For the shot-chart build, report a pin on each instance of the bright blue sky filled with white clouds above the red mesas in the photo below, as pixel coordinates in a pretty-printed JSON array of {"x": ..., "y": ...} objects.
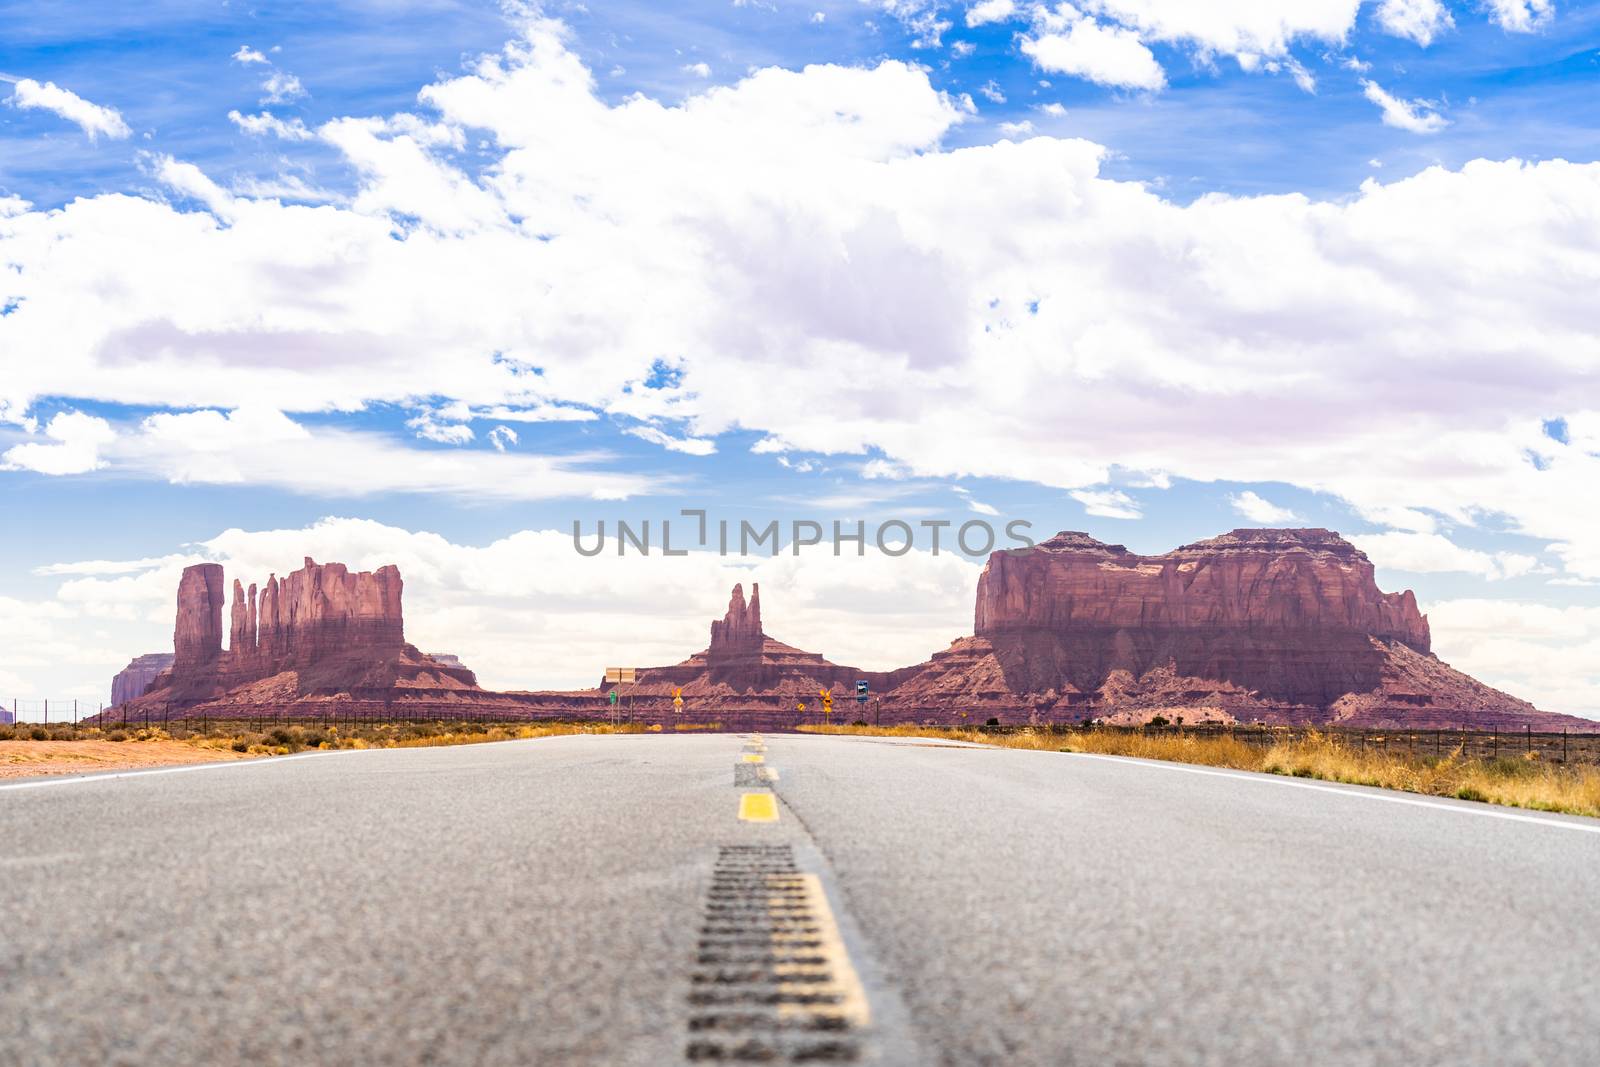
[{"x": 1135, "y": 268}]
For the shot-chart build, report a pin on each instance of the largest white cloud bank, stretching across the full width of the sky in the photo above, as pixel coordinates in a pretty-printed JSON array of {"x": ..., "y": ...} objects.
[{"x": 804, "y": 242}]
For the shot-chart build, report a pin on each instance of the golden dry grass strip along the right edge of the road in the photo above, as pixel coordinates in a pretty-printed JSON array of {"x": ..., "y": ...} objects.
[{"x": 1513, "y": 781}]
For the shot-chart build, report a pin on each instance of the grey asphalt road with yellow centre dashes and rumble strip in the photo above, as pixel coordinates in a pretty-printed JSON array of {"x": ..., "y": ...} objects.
[{"x": 590, "y": 901}]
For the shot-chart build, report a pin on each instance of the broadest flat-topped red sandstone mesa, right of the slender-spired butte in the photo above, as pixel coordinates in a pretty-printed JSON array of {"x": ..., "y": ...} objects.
[{"x": 1274, "y": 626}]
